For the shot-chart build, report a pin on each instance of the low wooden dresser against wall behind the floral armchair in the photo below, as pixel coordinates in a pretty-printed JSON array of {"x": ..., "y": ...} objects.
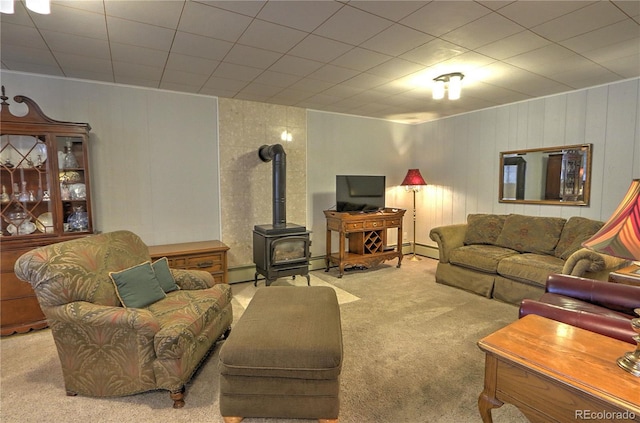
[{"x": 210, "y": 256}]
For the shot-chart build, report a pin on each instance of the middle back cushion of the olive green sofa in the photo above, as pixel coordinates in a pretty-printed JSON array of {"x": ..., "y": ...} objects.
[{"x": 531, "y": 234}]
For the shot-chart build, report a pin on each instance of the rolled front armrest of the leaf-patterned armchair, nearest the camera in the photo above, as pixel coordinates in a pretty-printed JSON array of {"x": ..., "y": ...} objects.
[{"x": 82, "y": 313}]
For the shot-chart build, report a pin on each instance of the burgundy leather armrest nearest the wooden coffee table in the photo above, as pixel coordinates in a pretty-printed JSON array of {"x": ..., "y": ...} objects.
[{"x": 617, "y": 328}]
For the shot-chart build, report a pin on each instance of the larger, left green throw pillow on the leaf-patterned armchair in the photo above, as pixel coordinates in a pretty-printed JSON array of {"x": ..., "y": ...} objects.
[{"x": 137, "y": 287}]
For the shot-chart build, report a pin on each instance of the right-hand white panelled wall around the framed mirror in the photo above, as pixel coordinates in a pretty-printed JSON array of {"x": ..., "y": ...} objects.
[{"x": 459, "y": 156}]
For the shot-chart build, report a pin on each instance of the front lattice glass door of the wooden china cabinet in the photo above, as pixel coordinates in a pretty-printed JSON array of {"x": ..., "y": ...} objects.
[{"x": 25, "y": 200}]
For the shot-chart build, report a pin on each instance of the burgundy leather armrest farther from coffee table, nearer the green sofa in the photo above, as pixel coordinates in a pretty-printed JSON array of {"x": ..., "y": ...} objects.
[{"x": 615, "y": 296}]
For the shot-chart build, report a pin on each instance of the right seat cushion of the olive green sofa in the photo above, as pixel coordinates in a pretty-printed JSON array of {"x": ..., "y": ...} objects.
[{"x": 530, "y": 268}]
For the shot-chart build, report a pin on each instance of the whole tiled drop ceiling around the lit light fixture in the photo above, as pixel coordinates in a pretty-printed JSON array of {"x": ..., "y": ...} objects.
[{"x": 368, "y": 58}]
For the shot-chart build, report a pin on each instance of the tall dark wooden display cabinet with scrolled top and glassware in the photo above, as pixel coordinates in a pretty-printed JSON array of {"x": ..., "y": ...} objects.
[{"x": 45, "y": 198}]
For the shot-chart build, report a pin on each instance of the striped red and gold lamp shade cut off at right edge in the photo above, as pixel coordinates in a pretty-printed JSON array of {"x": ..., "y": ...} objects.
[{"x": 620, "y": 235}]
